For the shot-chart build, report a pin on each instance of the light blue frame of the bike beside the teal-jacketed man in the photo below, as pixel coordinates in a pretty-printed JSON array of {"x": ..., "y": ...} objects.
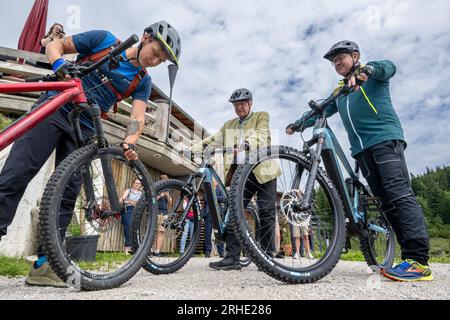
[{"x": 332, "y": 154}]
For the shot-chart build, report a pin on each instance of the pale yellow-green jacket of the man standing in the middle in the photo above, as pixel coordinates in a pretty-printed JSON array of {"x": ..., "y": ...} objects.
[{"x": 256, "y": 133}]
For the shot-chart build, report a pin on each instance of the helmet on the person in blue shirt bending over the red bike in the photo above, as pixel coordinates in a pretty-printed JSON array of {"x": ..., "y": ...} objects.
[{"x": 168, "y": 37}]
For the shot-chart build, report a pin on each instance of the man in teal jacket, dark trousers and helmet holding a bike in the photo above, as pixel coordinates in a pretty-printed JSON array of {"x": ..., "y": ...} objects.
[{"x": 378, "y": 143}]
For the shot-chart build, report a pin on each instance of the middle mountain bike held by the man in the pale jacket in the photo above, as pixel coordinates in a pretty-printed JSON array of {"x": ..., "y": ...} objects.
[{"x": 180, "y": 242}]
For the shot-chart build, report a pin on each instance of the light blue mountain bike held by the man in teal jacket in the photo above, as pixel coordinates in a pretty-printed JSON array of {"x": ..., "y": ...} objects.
[{"x": 324, "y": 208}]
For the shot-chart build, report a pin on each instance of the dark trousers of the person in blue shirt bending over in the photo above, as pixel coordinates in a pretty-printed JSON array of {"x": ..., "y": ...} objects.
[{"x": 27, "y": 157}]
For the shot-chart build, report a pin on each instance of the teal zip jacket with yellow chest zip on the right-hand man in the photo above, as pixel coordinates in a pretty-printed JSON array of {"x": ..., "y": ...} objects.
[{"x": 368, "y": 114}]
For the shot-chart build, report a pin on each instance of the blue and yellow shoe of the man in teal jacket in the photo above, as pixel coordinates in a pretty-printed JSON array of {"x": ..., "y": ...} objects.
[{"x": 408, "y": 270}]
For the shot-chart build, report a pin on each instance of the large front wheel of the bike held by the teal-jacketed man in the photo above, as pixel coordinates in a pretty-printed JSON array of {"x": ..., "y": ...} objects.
[{"x": 312, "y": 239}]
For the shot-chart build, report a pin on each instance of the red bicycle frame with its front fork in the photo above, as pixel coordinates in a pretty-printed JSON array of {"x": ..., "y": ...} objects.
[{"x": 71, "y": 92}]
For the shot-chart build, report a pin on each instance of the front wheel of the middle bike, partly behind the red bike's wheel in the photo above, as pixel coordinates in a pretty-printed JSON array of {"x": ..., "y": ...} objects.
[{"x": 172, "y": 230}]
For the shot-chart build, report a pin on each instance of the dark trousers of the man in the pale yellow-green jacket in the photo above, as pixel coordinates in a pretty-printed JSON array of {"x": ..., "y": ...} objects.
[{"x": 265, "y": 195}]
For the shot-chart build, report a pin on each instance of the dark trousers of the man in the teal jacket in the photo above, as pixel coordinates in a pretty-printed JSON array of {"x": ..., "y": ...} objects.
[{"x": 384, "y": 168}]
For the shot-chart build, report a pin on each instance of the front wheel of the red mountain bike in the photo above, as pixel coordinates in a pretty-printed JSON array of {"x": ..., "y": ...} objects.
[{"x": 81, "y": 236}]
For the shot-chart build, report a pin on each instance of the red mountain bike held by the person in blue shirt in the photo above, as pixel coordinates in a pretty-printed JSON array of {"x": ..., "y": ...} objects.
[{"x": 81, "y": 197}]
